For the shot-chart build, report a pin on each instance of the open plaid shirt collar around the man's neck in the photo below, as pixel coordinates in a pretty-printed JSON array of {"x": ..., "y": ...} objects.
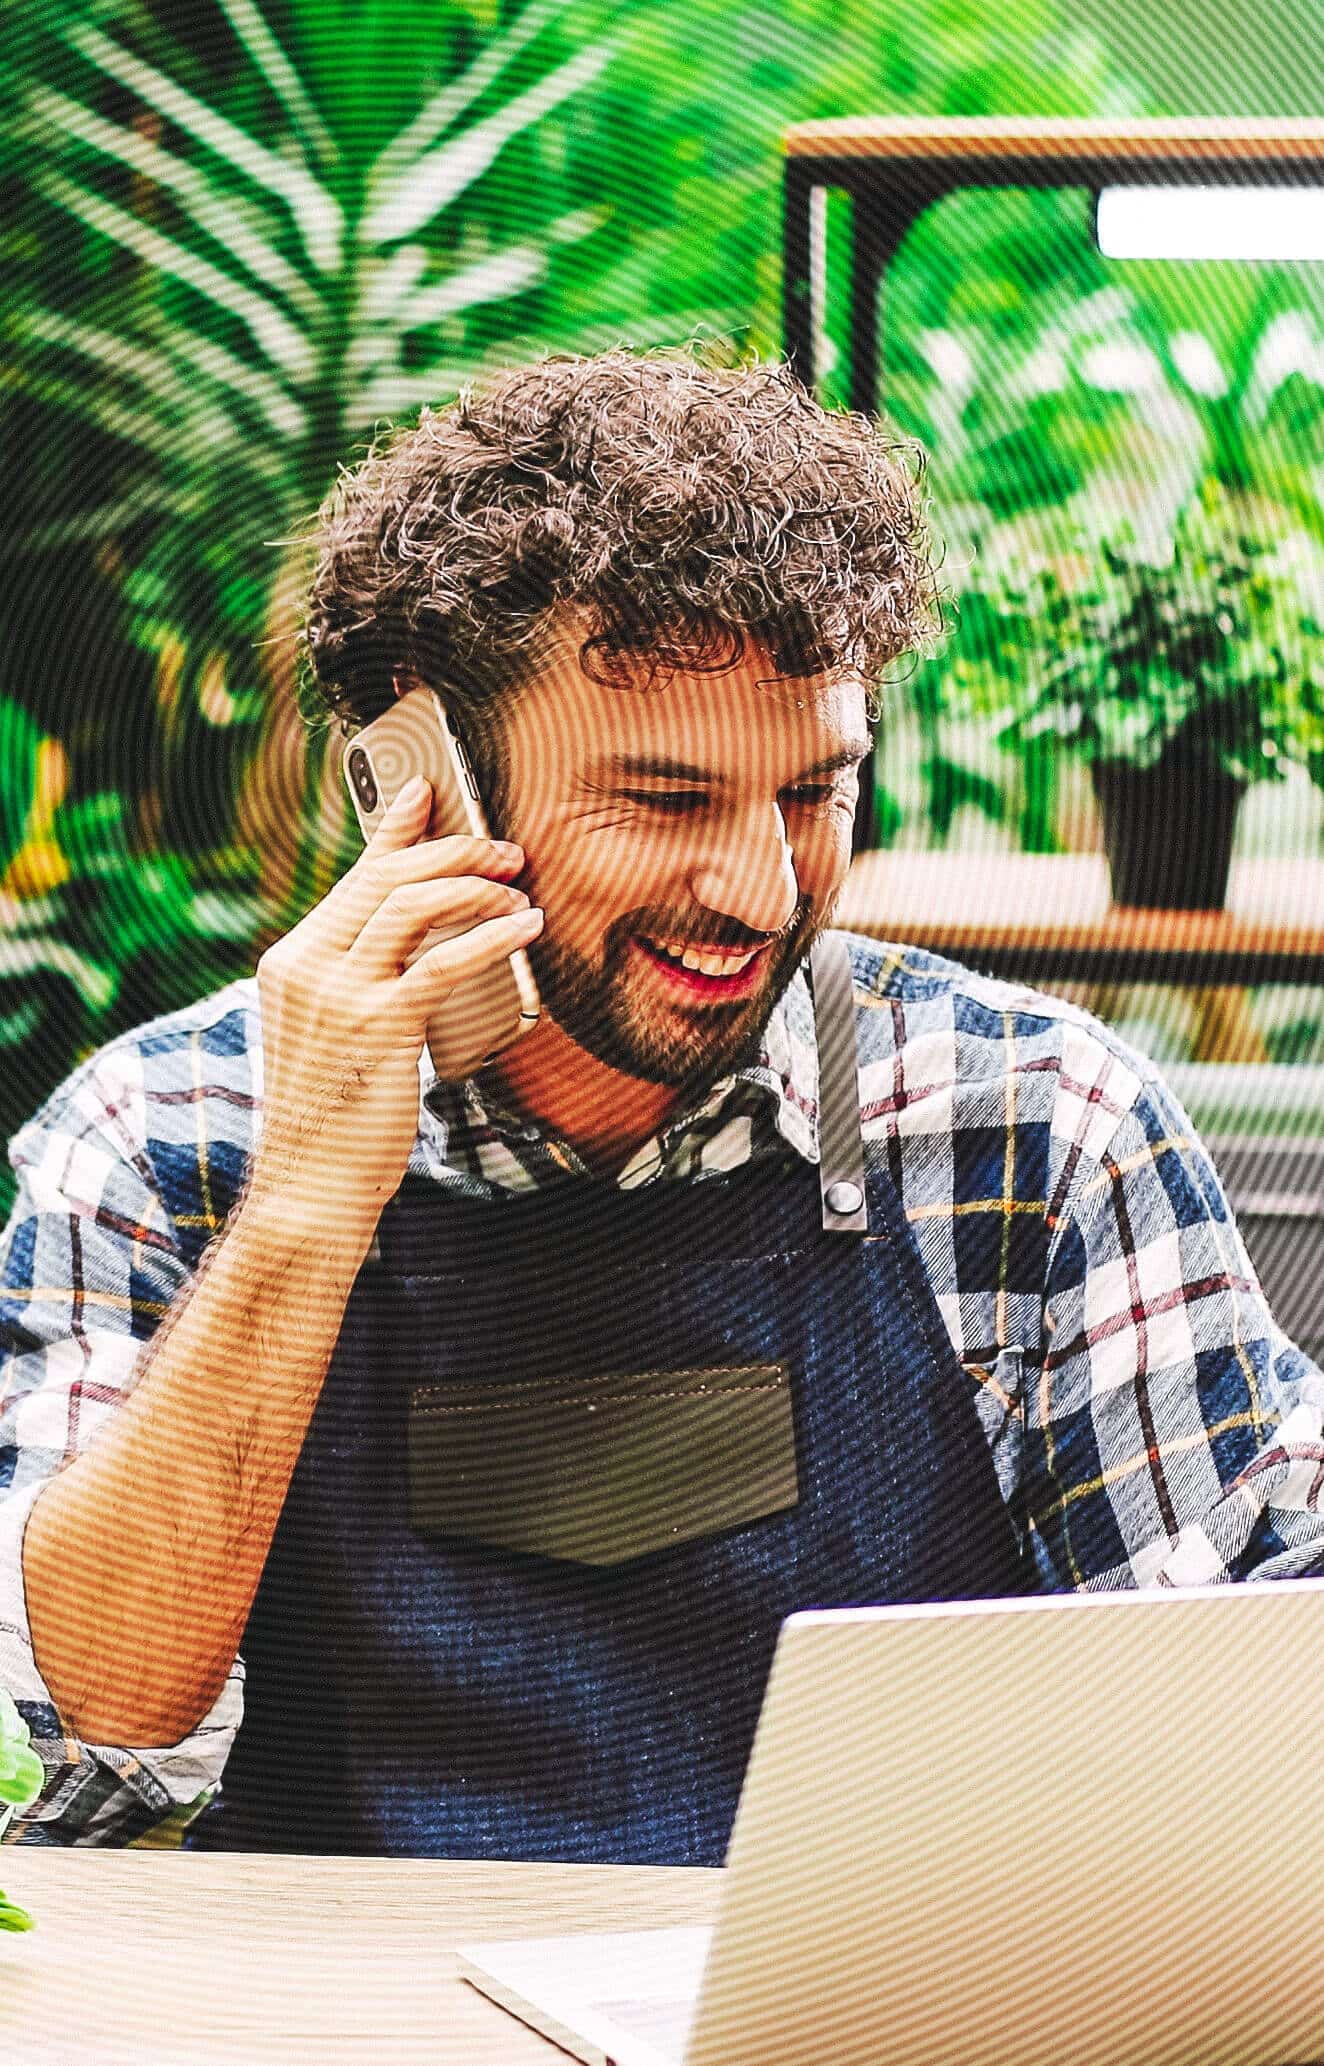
[{"x": 782, "y": 1079}]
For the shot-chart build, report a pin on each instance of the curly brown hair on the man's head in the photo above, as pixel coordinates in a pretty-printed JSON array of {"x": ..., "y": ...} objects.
[{"x": 679, "y": 505}]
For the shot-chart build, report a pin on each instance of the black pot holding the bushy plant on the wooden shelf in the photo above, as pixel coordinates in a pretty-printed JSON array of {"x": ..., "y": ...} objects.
[{"x": 1170, "y": 829}]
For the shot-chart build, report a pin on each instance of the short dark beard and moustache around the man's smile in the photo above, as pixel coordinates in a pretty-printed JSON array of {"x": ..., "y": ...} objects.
[{"x": 610, "y": 1009}]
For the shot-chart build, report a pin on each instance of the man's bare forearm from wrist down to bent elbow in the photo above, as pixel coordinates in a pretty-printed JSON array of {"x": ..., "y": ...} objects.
[{"x": 141, "y": 1559}]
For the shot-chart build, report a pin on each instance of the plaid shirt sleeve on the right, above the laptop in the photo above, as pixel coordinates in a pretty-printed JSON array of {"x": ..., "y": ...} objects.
[{"x": 1174, "y": 1435}]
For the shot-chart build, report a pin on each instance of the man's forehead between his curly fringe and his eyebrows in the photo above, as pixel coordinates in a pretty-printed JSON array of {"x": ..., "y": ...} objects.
[{"x": 736, "y": 716}]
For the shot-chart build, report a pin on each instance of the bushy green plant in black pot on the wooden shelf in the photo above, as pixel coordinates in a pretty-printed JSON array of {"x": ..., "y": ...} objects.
[{"x": 1180, "y": 683}]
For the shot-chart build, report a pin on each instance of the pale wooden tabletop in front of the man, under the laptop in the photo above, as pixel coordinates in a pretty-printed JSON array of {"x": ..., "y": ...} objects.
[{"x": 234, "y": 1960}]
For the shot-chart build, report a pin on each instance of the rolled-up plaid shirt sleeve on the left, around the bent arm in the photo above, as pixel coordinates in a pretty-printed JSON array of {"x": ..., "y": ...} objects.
[{"x": 88, "y": 1267}]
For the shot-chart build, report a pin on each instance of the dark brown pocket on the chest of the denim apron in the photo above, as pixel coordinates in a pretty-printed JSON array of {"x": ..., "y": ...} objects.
[{"x": 602, "y": 1470}]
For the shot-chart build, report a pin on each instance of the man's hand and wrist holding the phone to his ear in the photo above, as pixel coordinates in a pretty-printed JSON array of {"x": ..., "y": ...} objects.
[{"x": 346, "y": 1013}]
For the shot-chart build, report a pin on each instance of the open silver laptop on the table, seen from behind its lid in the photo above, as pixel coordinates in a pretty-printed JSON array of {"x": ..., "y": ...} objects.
[{"x": 1067, "y": 1832}]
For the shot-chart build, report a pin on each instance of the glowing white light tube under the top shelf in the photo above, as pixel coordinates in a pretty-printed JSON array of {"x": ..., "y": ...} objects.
[{"x": 1211, "y": 222}]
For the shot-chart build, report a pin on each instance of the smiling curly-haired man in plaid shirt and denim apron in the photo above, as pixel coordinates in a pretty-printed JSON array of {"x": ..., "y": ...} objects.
[{"x": 499, "y": 1425}]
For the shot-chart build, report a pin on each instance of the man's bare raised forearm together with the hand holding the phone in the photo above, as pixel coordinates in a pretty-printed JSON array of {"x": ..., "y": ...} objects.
[{"x": 144, "y": 1557}]
